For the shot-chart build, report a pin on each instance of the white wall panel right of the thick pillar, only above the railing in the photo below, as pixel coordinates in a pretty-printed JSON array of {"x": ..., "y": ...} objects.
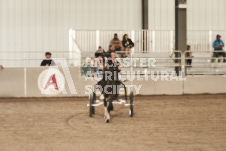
[{"x": 206, "y": 15}]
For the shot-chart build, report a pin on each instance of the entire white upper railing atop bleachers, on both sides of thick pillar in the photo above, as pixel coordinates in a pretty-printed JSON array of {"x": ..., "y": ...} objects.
[{"x": 147, "y": 40}]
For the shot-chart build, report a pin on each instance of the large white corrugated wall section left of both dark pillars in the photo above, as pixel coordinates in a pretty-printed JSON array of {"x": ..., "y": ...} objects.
[{"x": 43, "y": 25}]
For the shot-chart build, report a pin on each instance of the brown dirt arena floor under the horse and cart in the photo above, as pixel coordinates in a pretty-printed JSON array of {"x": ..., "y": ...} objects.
[{"x": 160, "y": 123}]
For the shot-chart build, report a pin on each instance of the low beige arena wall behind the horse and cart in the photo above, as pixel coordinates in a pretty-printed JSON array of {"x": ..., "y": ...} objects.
[{"x": 23, "y": 82}]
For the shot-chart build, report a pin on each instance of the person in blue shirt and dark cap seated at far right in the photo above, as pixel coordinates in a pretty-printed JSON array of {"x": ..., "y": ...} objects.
[{"x": 218, "y": 46}]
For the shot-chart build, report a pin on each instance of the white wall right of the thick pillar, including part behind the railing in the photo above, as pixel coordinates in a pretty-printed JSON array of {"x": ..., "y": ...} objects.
[{"x": 205, "y": 19}]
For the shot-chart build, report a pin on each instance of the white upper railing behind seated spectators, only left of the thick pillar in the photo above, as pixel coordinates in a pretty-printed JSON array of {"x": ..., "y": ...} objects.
[{"x": 144, "y": 40}]
